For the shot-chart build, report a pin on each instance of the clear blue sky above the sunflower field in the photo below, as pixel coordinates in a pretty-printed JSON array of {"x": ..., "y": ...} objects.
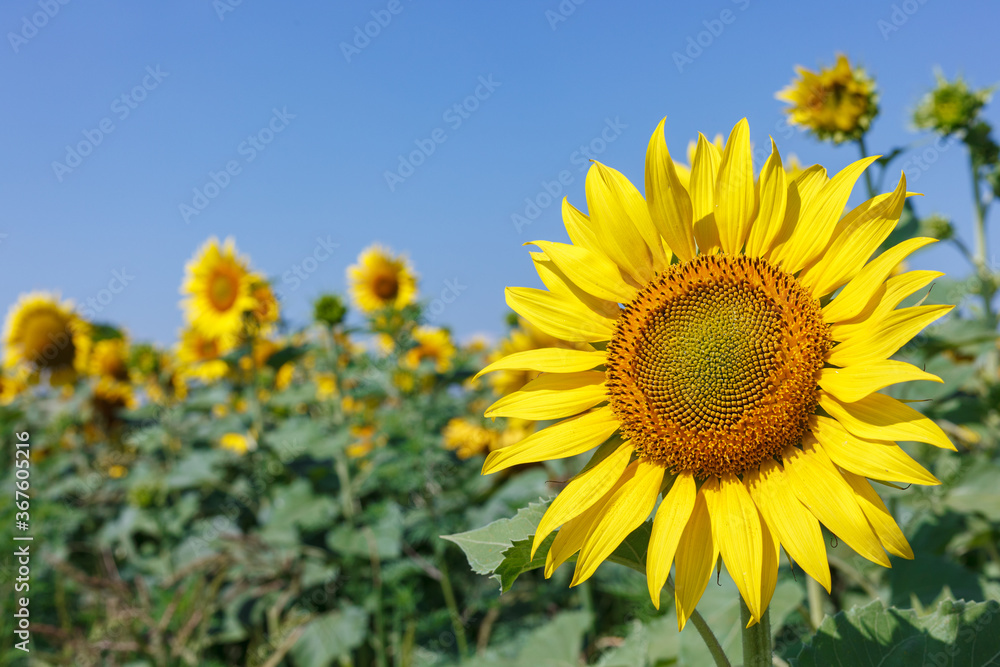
[{"x": 553, "y": 86}]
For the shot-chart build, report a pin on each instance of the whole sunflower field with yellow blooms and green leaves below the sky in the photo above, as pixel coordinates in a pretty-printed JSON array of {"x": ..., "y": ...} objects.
[{"x": 733, "y": 428}]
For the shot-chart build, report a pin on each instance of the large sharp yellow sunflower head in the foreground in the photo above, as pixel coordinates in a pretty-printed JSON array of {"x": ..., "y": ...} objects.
[{"x": 722, "y": 373}]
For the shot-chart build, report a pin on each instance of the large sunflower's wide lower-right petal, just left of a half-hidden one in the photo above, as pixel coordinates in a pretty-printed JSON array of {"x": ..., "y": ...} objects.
[{"x": 823, "y": 490}]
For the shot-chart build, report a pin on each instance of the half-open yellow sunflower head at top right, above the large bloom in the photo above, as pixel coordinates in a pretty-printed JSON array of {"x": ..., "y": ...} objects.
[{"x": 837, "y": 103}]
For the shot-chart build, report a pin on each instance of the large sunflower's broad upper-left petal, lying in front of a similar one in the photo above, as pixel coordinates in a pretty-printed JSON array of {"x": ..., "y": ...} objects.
[{"x": 621, "y": 222}]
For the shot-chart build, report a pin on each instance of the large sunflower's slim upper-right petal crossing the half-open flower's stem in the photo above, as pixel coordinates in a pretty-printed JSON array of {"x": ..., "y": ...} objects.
[{"x": 819, "y": 215}]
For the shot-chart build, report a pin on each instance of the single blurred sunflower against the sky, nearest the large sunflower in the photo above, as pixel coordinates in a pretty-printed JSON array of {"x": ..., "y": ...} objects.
[{"x": 381, "y": 280}]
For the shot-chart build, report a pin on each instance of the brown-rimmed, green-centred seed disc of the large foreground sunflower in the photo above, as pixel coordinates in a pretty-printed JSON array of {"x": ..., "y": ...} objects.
[{"x": 712, "y": 368}]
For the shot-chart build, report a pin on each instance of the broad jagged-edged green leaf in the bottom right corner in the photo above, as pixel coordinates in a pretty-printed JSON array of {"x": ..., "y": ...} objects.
[{"x": 955, "y": 634}]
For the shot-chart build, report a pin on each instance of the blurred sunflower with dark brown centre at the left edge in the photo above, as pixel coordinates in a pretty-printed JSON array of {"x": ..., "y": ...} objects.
[{"x": 43, "y": 333}]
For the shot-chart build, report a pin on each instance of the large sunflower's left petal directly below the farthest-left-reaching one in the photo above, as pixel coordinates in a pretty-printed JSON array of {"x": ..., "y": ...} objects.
[{"x": 552, "y": 396}]
